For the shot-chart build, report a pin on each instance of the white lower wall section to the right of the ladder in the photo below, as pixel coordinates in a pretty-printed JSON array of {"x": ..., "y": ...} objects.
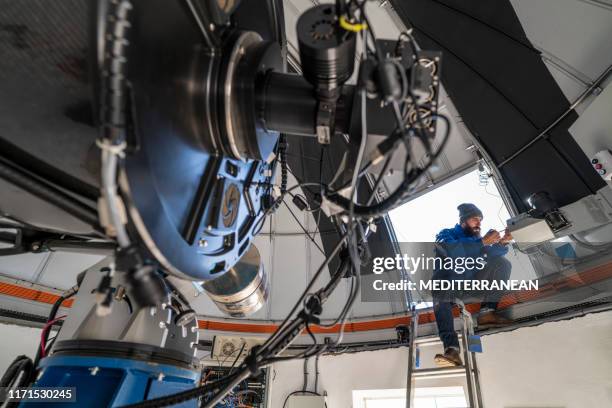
[{"x": 565, "y": 364}]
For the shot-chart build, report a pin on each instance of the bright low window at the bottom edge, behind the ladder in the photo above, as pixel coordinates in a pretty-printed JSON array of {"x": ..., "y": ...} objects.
[{"x": 430, "y": 397}]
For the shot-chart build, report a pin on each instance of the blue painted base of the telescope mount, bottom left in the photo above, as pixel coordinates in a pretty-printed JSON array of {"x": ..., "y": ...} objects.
[{"x": 113, "y": 382}]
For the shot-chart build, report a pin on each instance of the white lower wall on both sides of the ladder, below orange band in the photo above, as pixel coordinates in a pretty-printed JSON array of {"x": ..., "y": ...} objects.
[{"x": 565, "y": 364}]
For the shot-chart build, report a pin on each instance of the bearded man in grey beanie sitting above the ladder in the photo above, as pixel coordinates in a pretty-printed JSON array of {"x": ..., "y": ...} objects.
[{"x": 465, "y": 241}]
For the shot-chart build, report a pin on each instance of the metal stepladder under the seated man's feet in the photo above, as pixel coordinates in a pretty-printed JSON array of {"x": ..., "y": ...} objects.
[{"x": 469, "y": 369}]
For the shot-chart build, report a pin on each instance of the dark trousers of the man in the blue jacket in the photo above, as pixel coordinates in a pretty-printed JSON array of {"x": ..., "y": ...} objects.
[{"x": 495, "y": 269}]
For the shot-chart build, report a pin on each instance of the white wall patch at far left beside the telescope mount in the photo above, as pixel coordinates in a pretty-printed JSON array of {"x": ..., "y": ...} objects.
[{"x": 17, "y": 340}]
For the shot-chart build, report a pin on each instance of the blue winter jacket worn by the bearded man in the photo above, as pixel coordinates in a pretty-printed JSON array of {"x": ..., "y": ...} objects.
[{"x": 455, "y": 243}]
